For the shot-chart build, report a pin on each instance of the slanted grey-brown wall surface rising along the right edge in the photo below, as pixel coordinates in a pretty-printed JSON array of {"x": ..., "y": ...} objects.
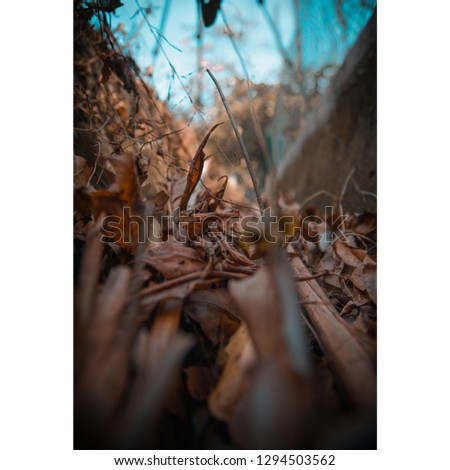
[{"x": 341, "y": 134}]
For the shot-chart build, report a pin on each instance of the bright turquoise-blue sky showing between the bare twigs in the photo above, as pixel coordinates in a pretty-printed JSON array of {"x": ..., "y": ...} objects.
[{"x": 323, "y": 40}]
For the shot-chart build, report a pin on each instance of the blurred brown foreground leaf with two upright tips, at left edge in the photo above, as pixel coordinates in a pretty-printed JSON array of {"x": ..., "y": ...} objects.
[{"x": 101, "y": 357}]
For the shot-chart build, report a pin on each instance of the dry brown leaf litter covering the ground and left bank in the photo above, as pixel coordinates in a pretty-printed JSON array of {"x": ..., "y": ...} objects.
[{"x": 186, "y": 339}]
